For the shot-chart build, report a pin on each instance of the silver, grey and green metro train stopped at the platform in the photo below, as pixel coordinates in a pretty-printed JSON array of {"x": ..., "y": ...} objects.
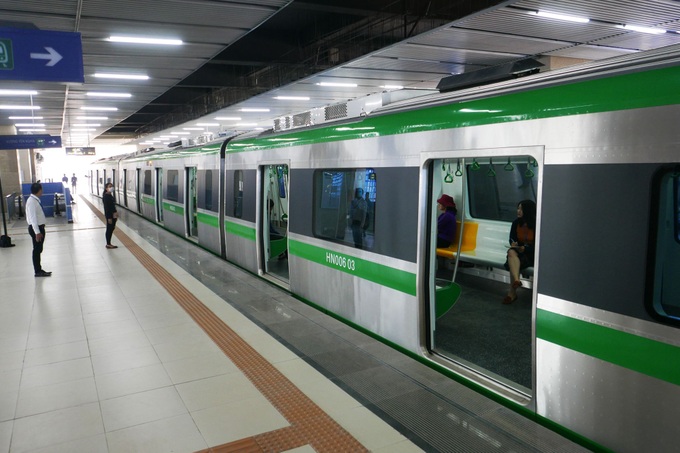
[{"x": 592, "y": 345}]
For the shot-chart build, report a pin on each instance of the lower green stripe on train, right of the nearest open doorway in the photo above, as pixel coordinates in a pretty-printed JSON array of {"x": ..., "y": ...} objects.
[{"x": 646, "y": 356}]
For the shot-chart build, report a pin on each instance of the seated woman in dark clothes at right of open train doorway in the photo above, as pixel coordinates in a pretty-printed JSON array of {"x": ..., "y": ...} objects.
[{"x": 521, "y": 248}]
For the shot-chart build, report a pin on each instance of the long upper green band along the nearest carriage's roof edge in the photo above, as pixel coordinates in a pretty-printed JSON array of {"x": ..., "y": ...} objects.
[{"x": 643, "y": 89}]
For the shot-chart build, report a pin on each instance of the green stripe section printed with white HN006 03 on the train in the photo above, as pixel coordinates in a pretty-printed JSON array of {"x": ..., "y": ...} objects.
[{"x": 383, "y": 275}]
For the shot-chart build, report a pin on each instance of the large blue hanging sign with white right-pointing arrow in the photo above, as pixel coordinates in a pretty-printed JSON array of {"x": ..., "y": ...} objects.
[{"x": 50, "y": 56}]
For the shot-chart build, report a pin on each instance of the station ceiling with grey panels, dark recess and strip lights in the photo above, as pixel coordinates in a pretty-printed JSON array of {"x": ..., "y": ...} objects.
[{"x": 242, "y": 54}]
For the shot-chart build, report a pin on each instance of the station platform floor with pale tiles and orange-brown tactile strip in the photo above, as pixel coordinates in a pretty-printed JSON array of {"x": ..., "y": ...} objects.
[{"x": 160, "y": 346}]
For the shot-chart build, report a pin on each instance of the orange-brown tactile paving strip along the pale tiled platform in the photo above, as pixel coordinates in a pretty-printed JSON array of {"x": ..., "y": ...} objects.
[{"x": 309, "y": 425}]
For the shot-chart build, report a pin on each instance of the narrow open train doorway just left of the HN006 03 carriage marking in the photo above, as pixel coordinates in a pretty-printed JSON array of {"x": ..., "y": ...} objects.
[{"x": 273, "y": 225}]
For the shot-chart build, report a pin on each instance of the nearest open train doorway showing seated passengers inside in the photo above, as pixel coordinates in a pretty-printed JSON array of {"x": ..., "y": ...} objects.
[{"x": 481, "y": 318}]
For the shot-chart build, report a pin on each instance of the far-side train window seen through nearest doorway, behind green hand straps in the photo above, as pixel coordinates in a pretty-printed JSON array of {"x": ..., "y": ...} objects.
[{"x": 496, "y": 187}]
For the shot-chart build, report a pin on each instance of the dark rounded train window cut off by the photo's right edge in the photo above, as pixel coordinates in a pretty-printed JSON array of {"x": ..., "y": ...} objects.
[{"x": 666, "y": 282}]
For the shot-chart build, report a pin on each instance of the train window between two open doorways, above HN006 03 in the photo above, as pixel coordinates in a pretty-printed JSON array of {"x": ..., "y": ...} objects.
[{"x": 344, "y": 202}]
